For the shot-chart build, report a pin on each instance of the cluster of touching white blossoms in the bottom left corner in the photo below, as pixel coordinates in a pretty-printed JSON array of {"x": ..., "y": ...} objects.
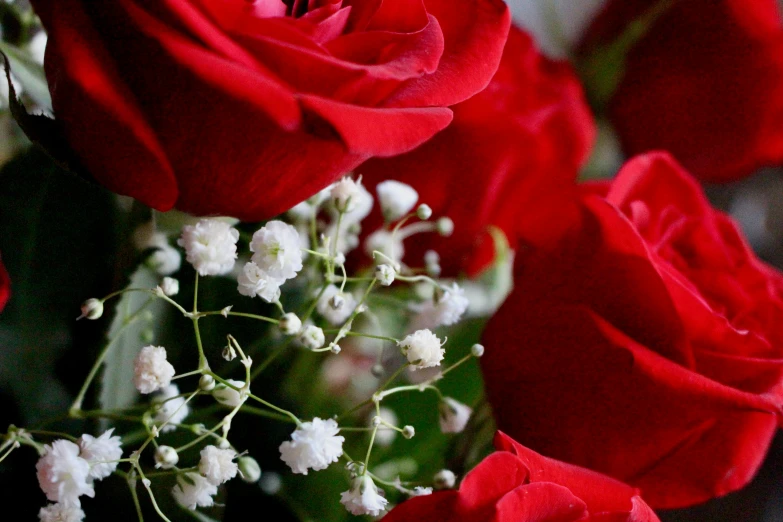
[{"x": 67, "y": 470}]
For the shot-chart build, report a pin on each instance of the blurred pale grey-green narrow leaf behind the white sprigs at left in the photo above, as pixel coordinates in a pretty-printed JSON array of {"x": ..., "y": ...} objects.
[{"x": 117, "y": 390}]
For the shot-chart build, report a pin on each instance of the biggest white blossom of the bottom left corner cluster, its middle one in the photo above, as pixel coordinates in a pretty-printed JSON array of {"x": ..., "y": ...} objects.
[{"x": 63, "y": 475}]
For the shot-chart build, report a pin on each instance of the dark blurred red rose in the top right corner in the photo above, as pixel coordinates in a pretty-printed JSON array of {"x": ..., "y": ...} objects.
[{"x": 705, "y": 83}]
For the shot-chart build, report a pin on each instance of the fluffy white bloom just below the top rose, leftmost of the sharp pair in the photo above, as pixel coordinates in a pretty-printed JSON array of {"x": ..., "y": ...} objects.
[{"x": 210, "y": 246}]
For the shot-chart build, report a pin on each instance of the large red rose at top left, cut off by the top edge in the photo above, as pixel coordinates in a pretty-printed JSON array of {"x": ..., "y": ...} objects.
[{"x": 244, "y": 107}]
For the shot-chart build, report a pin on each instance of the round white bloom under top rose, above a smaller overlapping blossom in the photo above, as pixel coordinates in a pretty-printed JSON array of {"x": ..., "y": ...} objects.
[{"x": 276, "y": 250}]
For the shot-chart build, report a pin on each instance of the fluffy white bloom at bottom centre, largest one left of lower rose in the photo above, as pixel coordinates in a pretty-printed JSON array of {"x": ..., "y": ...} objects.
[{"x": 313, "y": 445}]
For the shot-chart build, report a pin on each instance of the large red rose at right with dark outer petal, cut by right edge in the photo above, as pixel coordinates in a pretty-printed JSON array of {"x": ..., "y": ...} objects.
[{"x": 647, "y": 344}]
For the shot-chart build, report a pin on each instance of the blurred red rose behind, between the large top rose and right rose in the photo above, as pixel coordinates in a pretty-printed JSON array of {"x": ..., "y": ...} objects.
[{"x": 510, "y": 149}]
